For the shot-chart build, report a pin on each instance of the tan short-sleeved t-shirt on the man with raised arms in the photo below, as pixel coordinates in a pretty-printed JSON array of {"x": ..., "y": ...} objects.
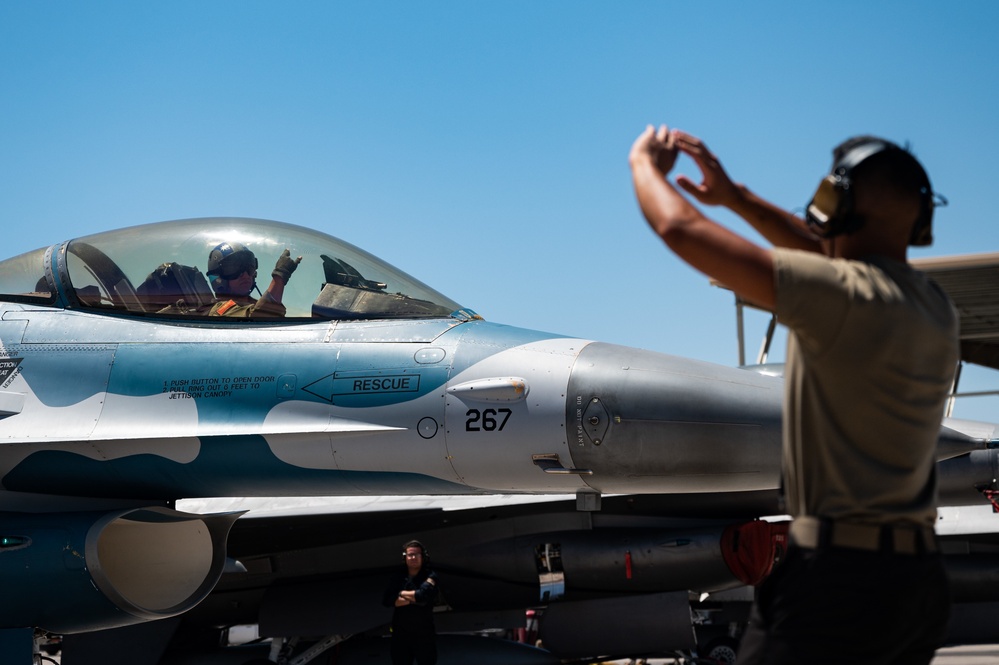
[{"x": 870, "y": 361}]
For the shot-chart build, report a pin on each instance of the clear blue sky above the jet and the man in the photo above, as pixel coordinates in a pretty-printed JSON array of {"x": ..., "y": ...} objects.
[{"x": 482, "y": 146}]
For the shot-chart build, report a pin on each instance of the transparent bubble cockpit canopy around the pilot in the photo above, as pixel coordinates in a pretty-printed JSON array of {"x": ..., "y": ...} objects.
[{"x": 163, "y": 270}]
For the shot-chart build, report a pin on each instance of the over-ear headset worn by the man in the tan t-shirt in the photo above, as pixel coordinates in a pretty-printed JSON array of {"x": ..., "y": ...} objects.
[{"x": 831, "y": 210}]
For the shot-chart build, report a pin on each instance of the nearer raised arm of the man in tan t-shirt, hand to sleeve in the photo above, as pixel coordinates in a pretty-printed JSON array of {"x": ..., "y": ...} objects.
[{"x": 739, "y": 264}]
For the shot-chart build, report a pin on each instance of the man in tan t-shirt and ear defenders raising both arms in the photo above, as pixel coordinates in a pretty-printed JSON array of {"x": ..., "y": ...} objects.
[{"x": 872, "y": 351}]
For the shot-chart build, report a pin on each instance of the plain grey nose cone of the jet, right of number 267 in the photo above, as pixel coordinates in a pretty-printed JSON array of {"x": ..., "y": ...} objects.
[{"x": 649, "y": 422}]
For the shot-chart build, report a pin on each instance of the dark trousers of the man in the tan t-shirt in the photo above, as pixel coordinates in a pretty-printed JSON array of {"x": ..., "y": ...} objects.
[{"x": 837, "y": 605}]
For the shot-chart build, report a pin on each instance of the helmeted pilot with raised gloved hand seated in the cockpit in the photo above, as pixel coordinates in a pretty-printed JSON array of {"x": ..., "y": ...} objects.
[{"x": 233, "y": 269}]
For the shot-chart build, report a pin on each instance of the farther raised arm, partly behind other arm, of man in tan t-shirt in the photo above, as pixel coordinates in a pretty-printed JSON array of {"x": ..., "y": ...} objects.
[{"x": 778, "y": 226}]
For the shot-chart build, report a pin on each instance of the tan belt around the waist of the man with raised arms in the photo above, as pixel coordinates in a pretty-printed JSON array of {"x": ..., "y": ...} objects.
[{"x": 817, "y": 533}]
